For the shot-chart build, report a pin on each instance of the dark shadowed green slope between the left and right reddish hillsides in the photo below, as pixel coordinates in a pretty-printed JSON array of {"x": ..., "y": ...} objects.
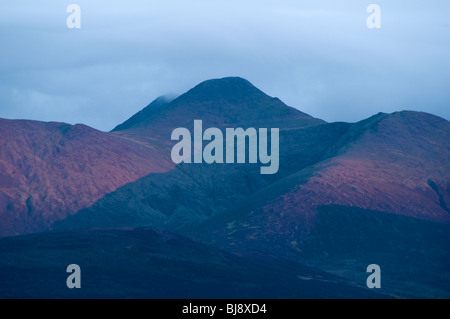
[{"x": 191, "y": 194}]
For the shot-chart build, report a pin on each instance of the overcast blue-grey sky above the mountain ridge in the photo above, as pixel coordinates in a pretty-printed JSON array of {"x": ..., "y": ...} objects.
[{"x": 318, "y": 56}]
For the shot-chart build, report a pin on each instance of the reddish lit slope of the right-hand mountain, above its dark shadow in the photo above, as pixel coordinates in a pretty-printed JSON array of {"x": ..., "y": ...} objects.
[{"x": 396, "y": 163}]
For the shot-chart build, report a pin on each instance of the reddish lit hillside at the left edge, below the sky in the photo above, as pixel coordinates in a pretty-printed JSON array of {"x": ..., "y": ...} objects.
[{"x": 50, "y": 170}]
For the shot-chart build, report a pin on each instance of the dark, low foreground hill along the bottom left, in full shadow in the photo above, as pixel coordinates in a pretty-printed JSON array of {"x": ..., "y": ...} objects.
[{"x": 148, "y": 263}]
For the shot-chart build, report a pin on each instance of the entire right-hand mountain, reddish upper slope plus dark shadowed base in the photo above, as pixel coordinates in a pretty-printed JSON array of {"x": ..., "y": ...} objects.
[{"x": 382, "y": 198}]
